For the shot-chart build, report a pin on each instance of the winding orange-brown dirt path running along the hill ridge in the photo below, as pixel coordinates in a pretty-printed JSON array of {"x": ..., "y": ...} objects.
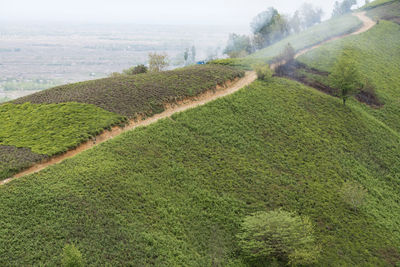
[{"x": 202, "y": 99}]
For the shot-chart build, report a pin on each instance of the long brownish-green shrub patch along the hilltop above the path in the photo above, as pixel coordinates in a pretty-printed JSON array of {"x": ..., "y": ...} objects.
[{"x": 143, "y": 94}]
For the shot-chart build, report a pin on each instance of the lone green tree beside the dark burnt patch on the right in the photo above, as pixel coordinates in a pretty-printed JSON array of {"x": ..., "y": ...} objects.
[{"x": 345, "y": 76}]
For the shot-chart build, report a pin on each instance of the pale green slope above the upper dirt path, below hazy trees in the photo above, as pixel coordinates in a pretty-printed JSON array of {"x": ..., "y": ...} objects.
[{"x": 312, "y": 36}]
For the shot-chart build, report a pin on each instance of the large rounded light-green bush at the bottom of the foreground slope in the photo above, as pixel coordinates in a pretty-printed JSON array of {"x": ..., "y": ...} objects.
[{"x": 279, "y": 235}]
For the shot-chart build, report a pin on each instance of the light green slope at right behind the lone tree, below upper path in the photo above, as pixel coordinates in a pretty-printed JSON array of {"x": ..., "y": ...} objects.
[{"x": 378, "y": 55}]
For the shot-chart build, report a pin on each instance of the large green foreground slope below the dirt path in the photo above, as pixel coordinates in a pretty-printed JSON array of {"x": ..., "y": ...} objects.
[{"x": 174, "y": 193}]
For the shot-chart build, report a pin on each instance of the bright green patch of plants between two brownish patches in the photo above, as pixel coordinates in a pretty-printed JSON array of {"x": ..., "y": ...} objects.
[{"x": 52, "y": 128}]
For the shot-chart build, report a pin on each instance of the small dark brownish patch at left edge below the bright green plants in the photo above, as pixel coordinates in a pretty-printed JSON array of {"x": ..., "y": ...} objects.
[{"x": 13, "y": 159}]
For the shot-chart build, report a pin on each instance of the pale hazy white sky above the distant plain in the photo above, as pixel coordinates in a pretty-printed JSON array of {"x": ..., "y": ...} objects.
[{"x": 148, "y": 11}]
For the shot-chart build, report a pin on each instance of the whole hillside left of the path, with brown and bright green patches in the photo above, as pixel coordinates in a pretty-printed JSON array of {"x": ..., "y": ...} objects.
[{"x": 51, "y": 122}]
